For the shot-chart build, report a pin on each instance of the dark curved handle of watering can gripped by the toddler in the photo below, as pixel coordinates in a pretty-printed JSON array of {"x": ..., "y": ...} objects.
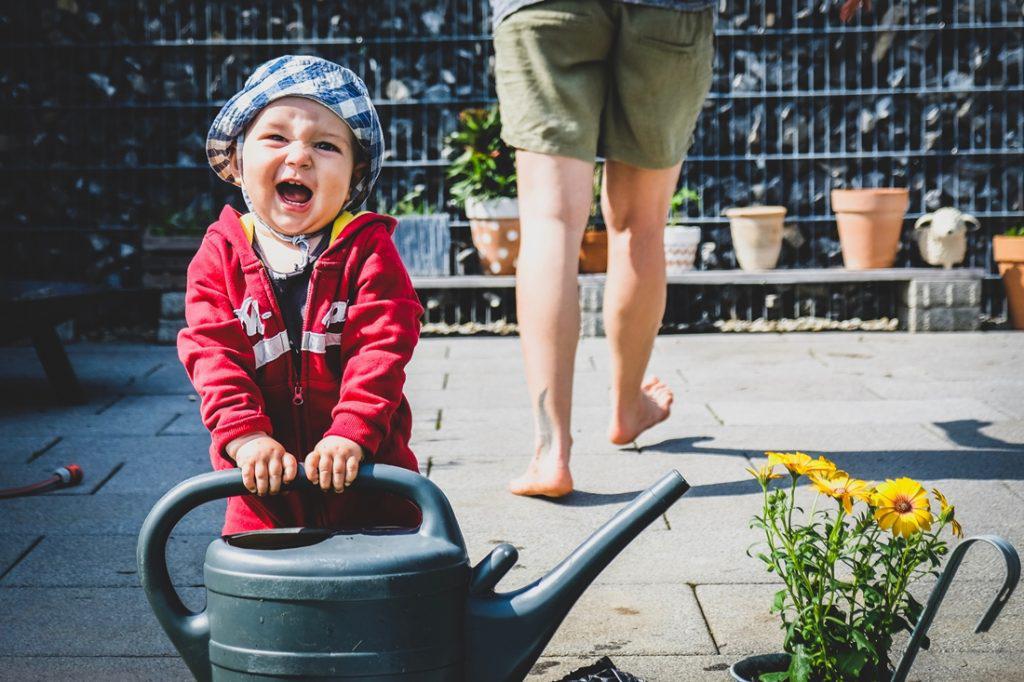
[{"x": 190, "y": 631}]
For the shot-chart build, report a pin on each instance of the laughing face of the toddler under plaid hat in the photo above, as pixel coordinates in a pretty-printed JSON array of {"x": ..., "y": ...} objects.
[{"x": 298, "y": 162}]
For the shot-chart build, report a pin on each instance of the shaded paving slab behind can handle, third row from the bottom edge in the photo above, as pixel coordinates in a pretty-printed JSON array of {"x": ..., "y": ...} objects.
[{"x": 104, "y": 562}]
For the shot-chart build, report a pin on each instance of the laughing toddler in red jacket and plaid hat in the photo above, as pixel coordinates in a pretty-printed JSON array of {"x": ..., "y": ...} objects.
[{"x": 302, "y": 316}]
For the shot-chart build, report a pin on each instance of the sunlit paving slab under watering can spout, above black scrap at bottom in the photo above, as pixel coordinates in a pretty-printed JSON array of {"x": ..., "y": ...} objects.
[{"x": 613, "y": 620}]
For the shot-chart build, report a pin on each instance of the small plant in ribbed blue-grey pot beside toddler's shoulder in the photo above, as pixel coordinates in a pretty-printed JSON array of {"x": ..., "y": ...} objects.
[{"x": 422, "y": 238}]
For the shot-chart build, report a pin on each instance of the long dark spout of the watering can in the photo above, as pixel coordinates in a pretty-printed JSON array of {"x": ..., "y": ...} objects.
[{"x": 507, "y": 632}]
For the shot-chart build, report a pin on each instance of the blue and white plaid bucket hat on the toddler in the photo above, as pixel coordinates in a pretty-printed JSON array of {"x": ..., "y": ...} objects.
[{"x": 301, "y": 76}]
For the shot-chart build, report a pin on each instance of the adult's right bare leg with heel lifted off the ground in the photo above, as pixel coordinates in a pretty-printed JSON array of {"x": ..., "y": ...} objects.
[{"x": 635, "y": 203}]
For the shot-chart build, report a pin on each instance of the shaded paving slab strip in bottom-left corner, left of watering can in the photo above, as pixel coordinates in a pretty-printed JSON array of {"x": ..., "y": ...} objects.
[{"x": 112, "y": 669}]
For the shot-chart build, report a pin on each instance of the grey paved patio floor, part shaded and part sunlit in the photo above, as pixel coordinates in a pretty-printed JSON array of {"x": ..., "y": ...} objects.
[{"x": 682, "y": 603}]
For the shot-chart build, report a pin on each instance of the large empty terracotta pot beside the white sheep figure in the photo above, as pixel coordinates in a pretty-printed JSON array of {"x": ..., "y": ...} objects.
[{"x": 870, "y": 225}]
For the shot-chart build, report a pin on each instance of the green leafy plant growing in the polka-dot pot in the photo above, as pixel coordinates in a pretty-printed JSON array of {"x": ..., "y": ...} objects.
[{"x": 483, "y": 166}]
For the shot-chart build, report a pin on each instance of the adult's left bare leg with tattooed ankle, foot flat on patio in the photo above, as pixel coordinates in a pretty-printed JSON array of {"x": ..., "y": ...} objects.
[{"x": 554, "y": 202}]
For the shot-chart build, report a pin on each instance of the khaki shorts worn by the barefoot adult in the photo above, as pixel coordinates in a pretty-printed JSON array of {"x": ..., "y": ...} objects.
[{"x": 586, "y": 78}]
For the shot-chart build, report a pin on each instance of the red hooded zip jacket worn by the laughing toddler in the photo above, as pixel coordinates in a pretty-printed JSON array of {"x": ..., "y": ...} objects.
[{"x": 361, "y": 325}]
